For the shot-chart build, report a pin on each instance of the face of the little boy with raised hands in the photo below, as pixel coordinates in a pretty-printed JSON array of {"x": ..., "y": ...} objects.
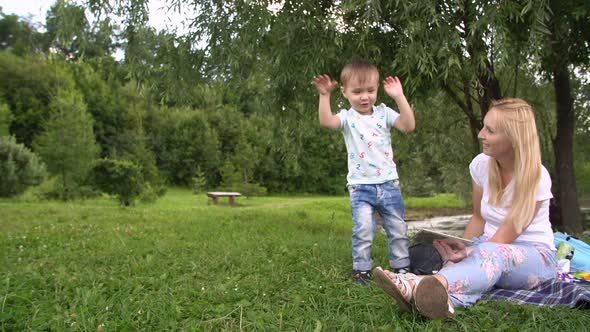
[{"x": 362, "y": 96}]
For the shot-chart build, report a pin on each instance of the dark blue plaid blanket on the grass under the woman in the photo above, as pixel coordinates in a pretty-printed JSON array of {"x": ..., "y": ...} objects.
[{"x": 556, "y": 292}]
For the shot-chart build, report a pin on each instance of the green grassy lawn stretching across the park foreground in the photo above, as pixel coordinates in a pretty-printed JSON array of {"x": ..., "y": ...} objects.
[{"x": 269, "y": 264}]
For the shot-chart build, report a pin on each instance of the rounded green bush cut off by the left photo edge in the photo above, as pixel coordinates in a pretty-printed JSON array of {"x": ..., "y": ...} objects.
[{"x": 19, "y": 167}]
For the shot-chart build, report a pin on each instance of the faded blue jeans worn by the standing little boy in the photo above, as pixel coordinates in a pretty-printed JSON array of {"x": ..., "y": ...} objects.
[{"x": 386, "y": 198}]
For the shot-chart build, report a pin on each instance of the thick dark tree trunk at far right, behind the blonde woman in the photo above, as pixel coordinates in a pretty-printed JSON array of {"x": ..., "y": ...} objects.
[{"x": 566, "y": 198}]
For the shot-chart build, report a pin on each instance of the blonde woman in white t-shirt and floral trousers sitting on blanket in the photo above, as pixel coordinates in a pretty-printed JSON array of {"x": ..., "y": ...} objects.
[{"x": 513, "y": 246}]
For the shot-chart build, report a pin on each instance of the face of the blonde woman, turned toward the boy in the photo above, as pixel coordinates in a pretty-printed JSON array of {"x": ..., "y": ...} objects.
[{"x": 495, "y": 142}]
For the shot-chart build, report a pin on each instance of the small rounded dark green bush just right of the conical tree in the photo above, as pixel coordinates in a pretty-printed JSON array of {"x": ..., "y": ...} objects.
[{"x": 118, "y": 177}]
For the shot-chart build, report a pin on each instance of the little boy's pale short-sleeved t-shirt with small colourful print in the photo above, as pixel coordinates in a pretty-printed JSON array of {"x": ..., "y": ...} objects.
[{"x": 368, "y": 142}]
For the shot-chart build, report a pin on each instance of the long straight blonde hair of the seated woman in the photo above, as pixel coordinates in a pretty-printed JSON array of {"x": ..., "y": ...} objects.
[{"x": 517, "y": 121}]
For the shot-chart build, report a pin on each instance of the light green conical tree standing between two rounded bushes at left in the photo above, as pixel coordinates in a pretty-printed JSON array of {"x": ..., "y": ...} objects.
[{"x": 67, "y": 144}]
